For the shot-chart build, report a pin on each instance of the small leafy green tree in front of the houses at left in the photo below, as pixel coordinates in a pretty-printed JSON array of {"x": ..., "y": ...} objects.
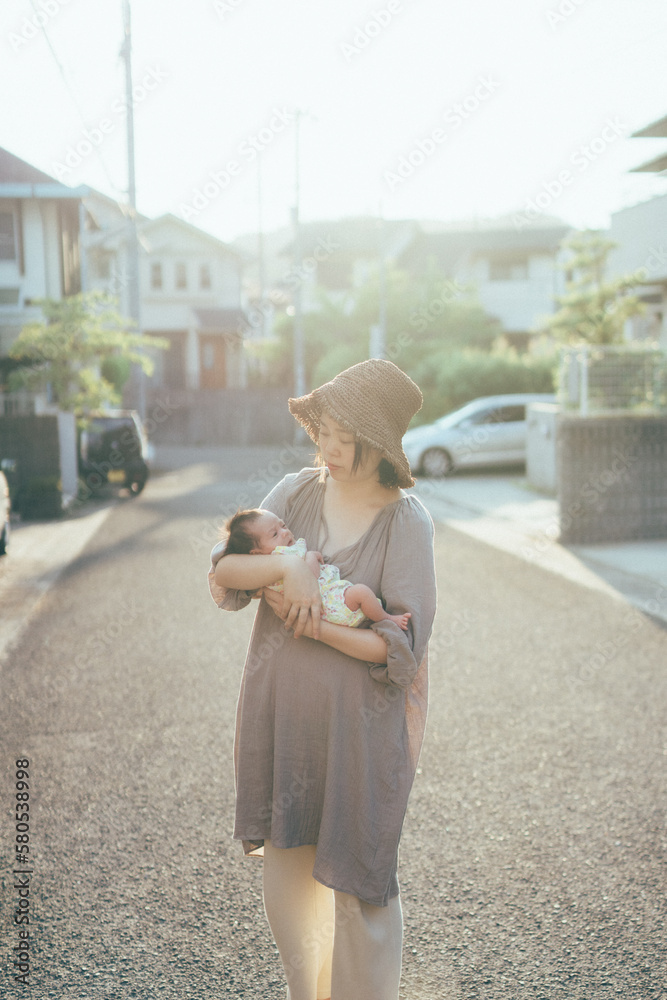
[{"x": 82, "y": 351}]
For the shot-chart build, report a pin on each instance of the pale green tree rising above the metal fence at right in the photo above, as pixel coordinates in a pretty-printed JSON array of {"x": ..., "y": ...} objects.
[{"x": 592, "y": 310}]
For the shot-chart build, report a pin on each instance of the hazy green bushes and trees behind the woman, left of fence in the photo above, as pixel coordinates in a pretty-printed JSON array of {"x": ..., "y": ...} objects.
[{"x": 436, "y": 331}]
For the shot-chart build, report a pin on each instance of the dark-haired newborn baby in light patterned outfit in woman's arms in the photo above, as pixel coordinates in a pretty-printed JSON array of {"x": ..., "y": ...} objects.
[{"x": 259, "y": 532}]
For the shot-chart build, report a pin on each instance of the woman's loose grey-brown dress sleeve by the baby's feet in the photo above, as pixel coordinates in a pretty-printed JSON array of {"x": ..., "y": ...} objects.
[{"x": 408, "y": 584}]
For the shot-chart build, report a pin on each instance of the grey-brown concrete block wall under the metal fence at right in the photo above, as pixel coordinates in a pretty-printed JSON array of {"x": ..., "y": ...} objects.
[{"x": 612, "y": 478}]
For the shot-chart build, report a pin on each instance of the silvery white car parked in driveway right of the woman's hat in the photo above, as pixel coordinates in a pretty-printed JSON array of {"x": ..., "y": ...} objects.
[{"x": 488, "y": 431}]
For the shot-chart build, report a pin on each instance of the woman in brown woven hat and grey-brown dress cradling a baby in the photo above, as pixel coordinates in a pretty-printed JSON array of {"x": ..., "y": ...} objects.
[{"x": 330, "y": 719}]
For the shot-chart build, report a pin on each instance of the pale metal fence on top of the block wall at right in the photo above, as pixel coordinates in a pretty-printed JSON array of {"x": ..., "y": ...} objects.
[{"x": 605, "y": 380}]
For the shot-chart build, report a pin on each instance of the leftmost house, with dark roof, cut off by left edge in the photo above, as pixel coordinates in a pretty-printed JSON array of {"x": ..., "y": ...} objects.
[{"x": 41, "y": 221}]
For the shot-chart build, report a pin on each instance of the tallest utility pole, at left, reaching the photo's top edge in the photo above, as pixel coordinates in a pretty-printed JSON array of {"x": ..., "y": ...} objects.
[{"x": 134, "y": 295}]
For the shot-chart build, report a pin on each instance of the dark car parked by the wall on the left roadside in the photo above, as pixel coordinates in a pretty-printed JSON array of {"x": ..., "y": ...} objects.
[{"x": 113, "y": 450}]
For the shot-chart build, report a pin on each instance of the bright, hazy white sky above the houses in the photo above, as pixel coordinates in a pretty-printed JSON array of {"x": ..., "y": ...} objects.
[{"x": 413, "y": 109}]
